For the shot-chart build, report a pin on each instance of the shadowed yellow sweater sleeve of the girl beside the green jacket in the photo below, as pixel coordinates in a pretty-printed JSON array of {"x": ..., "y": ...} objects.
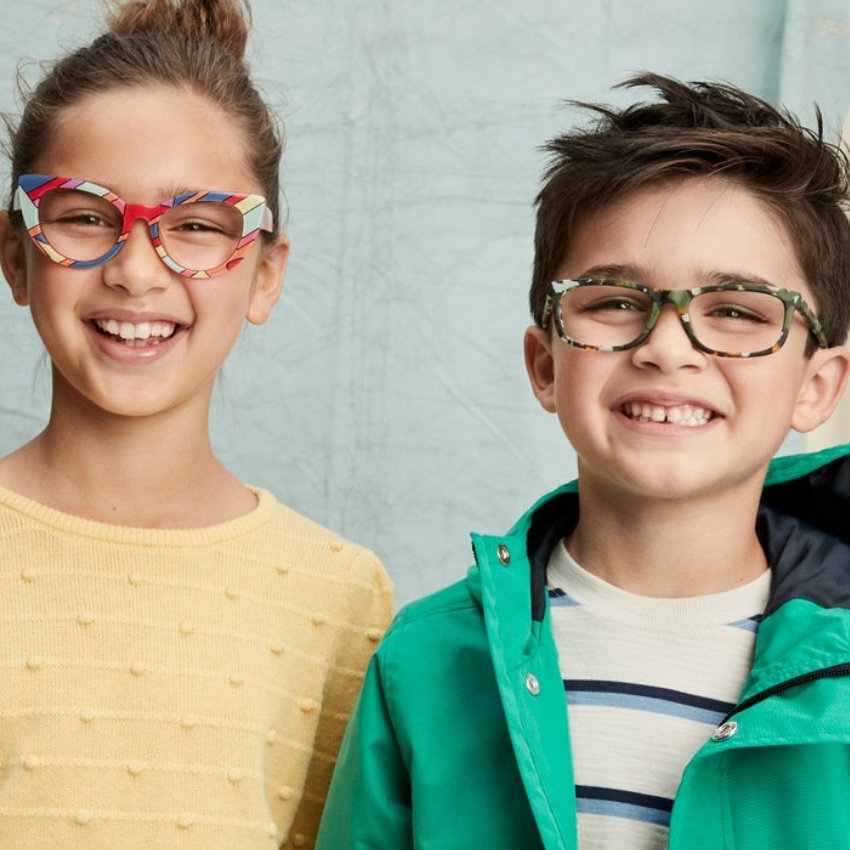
[{"x": 363, "y": 612}]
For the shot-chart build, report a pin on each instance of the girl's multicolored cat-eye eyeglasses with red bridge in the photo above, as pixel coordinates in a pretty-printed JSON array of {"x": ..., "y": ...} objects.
[{"x": 80, "y": 224}]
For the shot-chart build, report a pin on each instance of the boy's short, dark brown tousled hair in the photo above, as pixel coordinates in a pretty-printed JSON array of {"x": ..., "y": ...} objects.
[{"x": 701, "y": 129}]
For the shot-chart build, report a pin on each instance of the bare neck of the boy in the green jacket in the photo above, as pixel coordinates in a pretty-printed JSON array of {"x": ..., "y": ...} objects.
[{"x": 670, "y": 550}]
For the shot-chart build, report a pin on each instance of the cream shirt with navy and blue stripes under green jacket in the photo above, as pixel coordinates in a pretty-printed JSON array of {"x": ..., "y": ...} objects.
[{"x": 646, "y": 681}]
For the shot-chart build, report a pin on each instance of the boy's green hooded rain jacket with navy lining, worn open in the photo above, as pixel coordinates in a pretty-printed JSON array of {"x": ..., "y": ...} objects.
[{"x": 460, "y": 738}]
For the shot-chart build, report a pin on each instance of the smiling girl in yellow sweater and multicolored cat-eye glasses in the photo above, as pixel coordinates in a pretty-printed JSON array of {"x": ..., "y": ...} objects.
[{"x": 180, "y": 653}]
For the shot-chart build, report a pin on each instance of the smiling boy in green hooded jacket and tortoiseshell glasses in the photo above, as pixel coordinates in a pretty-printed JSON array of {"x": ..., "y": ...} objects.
[{"x": 659, "y": 655}]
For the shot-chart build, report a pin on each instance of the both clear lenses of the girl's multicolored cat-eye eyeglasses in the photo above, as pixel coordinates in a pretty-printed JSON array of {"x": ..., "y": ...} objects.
[{"x": 83, "y": 227}]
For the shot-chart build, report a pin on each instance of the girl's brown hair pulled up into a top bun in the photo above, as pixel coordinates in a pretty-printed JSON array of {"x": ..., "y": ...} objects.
[{"x": 197, "y": 45}]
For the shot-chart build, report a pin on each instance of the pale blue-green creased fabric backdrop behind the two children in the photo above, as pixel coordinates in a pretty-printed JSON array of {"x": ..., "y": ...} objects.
[{"x": 387, "y": 396}]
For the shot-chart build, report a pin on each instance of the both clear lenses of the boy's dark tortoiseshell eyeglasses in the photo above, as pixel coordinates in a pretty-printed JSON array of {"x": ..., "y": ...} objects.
[{"x": 724, "y": 321}]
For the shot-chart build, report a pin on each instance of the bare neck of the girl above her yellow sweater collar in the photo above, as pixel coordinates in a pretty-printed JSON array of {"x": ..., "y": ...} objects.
[{"x": 152, "y": 472}]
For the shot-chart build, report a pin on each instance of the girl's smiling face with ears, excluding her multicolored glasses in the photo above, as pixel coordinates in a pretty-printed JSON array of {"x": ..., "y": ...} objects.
[{"x": 131, "y": 337}]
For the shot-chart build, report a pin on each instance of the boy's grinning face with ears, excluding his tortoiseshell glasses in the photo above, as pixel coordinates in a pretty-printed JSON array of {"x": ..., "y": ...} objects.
[{"x": 665, "y": 420}]
